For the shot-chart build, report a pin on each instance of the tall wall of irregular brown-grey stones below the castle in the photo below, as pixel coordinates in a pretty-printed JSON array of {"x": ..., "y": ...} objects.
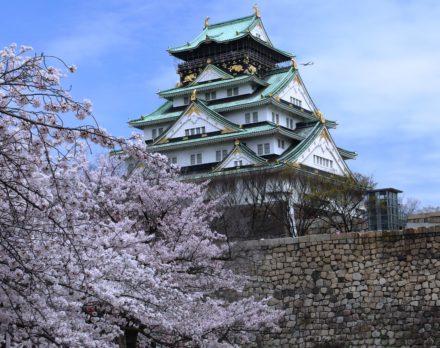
[{"x": 350, "y": 290}]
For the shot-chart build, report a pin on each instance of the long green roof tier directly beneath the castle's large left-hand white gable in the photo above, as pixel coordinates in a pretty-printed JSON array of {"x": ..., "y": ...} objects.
[{"x": 243, "y": 133}]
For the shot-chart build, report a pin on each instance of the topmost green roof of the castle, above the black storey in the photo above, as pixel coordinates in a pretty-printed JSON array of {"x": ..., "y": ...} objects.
[{"x": 225, "y": 32}]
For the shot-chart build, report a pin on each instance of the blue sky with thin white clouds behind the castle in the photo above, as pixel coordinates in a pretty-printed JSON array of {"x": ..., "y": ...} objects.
[{"x": 376, "y": 67}]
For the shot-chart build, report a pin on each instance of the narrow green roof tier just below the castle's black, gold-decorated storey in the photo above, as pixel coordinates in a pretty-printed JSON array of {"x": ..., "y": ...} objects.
[{"x": 173, "y": 92}]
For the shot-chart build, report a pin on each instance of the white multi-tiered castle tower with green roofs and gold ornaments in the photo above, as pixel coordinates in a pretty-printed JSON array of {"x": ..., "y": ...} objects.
[{"x": 240, "y": 105}]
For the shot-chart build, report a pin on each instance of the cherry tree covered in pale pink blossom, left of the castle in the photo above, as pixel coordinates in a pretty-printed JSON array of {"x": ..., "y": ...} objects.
[{"x": 93, "y": 256}]
